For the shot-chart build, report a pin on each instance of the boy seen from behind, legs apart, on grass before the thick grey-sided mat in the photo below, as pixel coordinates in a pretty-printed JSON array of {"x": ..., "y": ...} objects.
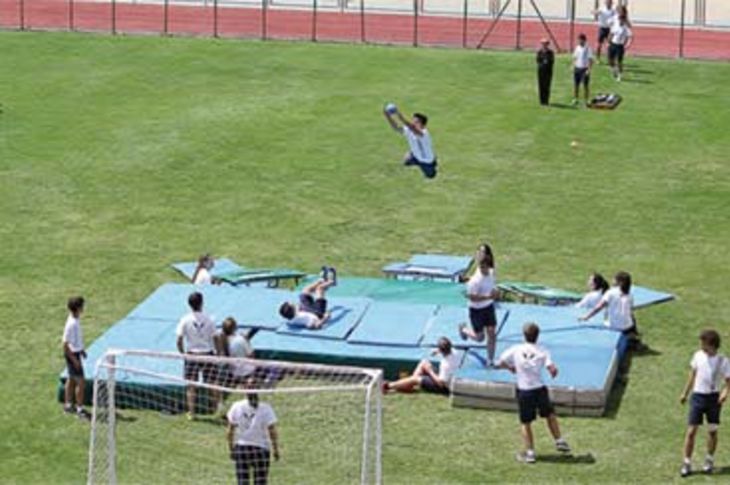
[{"x": 527, "y": 361}]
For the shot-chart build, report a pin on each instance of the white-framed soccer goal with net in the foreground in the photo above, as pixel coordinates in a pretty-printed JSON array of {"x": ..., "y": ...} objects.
[{"x": 324, "y": 421}]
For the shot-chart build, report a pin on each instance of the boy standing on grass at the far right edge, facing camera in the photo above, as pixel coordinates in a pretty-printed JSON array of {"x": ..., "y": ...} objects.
[{"x": 708, "y": 369}]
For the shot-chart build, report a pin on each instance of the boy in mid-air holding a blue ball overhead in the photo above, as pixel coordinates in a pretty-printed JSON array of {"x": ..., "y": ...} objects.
[{"x": 421, "y": 152}]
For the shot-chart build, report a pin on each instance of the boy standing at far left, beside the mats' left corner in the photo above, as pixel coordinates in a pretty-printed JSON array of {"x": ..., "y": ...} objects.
[{"x": 74, "y": 352}]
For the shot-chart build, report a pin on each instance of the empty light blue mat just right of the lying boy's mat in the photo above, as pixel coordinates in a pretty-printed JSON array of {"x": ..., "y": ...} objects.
[{"x": 390, "y": 323}]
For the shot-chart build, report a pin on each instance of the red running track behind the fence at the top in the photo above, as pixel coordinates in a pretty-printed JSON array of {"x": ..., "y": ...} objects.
[{"x": 277, "y": 23}]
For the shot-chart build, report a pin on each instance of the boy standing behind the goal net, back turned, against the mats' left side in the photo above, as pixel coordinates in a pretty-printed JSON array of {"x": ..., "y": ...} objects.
[{"x": 196, "y": 336}]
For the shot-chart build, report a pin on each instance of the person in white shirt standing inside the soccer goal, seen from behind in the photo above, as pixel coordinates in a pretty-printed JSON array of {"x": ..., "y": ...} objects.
[{"x": 252, "y": 436}]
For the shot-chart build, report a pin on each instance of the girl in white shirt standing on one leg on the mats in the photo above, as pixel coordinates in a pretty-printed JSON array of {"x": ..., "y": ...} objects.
[{"x": 481, "y": 293}]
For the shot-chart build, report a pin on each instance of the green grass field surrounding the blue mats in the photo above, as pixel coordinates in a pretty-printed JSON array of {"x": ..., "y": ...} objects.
[{"x": 121, "y": 155}]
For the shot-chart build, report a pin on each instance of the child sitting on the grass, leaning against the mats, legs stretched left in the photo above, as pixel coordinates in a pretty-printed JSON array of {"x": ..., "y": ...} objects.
[{"x": 425, "y": 377}]
